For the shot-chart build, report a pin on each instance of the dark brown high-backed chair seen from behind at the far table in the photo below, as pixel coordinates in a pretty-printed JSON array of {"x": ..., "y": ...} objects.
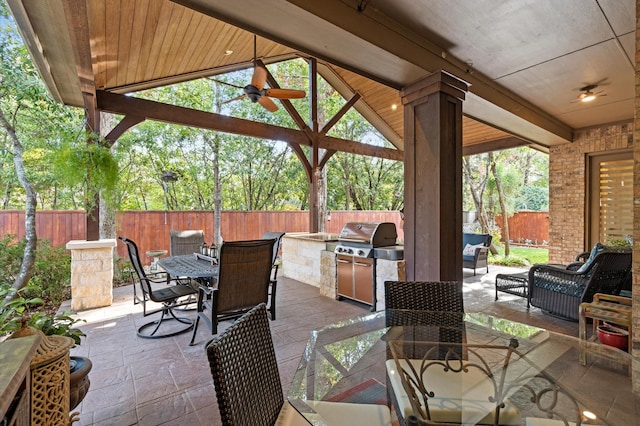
[{"x": 244, "y": 271}]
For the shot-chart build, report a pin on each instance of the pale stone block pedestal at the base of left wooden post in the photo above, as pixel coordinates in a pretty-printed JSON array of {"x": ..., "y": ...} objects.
[{"x": 91, "y": 273}]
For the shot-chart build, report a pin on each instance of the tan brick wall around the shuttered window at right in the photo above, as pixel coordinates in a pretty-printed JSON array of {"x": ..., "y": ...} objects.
[{"x": 567, "y": 186}]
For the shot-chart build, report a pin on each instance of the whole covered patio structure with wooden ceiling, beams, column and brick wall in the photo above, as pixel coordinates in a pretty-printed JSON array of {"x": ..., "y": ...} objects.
[{"x": 470, "y": 77}]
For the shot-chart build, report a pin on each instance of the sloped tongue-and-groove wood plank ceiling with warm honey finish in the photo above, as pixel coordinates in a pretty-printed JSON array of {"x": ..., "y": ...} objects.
[{"x": 136, "y": 45}]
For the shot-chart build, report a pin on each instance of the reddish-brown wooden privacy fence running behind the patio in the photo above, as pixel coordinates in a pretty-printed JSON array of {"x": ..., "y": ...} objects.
[{"x": 150, "y": 229}]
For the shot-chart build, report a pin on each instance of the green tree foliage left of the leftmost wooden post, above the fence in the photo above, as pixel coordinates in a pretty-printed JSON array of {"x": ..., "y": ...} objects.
[{"x": 40, "y": 123}]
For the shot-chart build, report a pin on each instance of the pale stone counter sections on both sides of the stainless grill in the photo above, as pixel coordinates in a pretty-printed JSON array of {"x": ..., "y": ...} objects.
[{"x": 305, "y": 258}]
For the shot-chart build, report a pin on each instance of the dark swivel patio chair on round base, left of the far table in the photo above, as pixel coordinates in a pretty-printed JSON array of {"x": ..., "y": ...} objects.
[{"x": 168, "y": 295}]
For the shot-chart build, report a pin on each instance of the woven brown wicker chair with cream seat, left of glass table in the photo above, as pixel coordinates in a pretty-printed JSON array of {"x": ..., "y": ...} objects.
[{"x": 247, "y": 382}]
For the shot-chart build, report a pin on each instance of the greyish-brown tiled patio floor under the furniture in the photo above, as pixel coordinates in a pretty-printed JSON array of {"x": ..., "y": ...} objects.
[{"x": 137, "y": 381}]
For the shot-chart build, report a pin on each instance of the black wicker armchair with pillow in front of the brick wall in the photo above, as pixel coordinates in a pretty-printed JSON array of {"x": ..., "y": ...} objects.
[{"x": 559, "y": 291}]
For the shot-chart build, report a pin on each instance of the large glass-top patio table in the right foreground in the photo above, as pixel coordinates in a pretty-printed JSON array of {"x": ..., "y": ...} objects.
[{"x": 544, "y": 378}]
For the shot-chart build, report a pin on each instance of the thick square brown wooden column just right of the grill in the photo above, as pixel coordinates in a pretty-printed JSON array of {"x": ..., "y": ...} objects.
[{"x": 433, "y": 177}]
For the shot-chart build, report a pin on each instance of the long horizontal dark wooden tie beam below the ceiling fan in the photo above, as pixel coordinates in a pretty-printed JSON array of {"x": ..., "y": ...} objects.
[{"x": 151, "y": 110}]
